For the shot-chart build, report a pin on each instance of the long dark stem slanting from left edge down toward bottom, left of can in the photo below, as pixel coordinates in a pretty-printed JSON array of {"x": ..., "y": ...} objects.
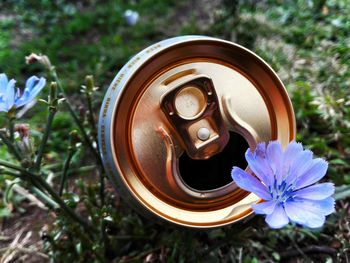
[{"x": 43, "y": 184}]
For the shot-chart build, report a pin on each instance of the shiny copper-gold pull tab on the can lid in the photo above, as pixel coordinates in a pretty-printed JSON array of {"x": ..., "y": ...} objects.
[{"x": 192, "y": 108}]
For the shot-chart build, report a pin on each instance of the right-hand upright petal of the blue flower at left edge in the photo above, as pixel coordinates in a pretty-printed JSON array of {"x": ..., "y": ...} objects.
[{"x": 33, "y": 86}]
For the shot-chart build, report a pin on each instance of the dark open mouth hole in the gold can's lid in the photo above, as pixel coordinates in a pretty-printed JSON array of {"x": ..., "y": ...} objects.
[{"x": 216, "y": 171}]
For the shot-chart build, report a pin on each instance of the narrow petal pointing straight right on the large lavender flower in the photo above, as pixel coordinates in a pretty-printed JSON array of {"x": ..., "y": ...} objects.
[{"x": 315, "y": 192}]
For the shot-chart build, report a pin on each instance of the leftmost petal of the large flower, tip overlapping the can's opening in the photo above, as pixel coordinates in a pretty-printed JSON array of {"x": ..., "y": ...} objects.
[{"x": 249, "y": 183}]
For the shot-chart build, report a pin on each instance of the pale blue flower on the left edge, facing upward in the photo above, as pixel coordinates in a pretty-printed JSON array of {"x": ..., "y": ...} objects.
[{"x": 11, "y": 97}]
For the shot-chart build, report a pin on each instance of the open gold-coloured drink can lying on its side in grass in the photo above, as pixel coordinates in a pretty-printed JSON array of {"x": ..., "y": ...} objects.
[{"x": 176, "y": 119}]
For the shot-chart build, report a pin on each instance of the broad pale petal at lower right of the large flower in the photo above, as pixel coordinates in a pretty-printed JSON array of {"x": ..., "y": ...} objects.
[{"x": 309, "y": 213}]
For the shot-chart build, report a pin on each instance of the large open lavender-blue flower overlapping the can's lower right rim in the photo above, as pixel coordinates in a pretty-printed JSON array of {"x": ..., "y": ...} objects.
[{"x": 285, "y": 180}]
